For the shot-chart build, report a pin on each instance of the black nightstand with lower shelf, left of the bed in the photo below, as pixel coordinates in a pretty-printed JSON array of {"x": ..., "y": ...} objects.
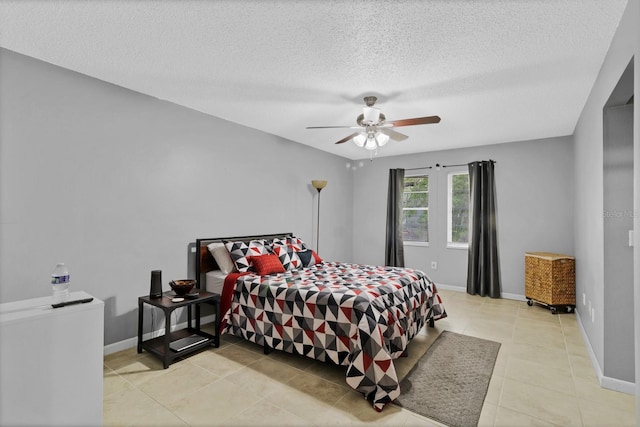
[{"x": 173, "y": 345}]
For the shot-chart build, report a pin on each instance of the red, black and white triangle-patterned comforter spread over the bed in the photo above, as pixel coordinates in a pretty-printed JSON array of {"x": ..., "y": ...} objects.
[{"x": 358, "y": 316}]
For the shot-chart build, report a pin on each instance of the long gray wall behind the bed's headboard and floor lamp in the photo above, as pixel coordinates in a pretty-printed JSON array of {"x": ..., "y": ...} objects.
[{"x": 116, "y": 183}]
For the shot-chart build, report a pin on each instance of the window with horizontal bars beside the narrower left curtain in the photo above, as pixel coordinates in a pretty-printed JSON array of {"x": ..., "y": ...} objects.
[{"x": 415, "y": 209}]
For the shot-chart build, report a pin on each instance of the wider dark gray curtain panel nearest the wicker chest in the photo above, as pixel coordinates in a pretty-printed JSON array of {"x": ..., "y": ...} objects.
[{"x": 483, "y": 274}]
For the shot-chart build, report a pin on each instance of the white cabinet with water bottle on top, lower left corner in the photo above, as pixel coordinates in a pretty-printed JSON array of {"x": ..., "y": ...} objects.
[{"x": 51, "y": 362}]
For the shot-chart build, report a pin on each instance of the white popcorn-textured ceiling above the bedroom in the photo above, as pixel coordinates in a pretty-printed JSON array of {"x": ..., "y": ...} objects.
[{"x": 493, "y": 70}]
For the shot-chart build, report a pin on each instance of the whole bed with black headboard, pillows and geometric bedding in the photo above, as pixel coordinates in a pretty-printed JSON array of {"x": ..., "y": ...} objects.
[{"x": 358, "y": 316}]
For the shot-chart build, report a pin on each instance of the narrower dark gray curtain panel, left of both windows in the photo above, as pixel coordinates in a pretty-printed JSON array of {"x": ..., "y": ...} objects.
[{"x": 394, "y": 249}]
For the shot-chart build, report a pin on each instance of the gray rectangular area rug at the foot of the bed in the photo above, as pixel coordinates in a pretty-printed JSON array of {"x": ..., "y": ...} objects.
[{"x": 450, "y": 381}]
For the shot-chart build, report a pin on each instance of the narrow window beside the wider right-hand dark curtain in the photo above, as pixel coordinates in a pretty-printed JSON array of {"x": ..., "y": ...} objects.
[{"x": 458, "y": 210}]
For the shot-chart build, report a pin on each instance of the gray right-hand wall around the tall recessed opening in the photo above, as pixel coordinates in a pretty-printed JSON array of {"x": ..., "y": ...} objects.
[{"x": 589, "y": 200}]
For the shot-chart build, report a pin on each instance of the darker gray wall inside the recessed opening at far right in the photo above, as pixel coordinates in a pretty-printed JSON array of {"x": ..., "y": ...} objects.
[{"x": 618, "y": 255}]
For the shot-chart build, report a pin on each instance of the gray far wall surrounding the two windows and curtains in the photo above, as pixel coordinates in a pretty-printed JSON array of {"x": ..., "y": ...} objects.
[{"x": 534, "y": 185}]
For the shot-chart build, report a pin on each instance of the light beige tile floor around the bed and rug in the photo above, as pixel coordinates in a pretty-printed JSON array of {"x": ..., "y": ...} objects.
[{"x": 543, "y": 377}]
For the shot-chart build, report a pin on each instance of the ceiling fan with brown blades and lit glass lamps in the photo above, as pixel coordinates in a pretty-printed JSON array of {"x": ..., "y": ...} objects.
[{"x": 374, "y": 130}]
